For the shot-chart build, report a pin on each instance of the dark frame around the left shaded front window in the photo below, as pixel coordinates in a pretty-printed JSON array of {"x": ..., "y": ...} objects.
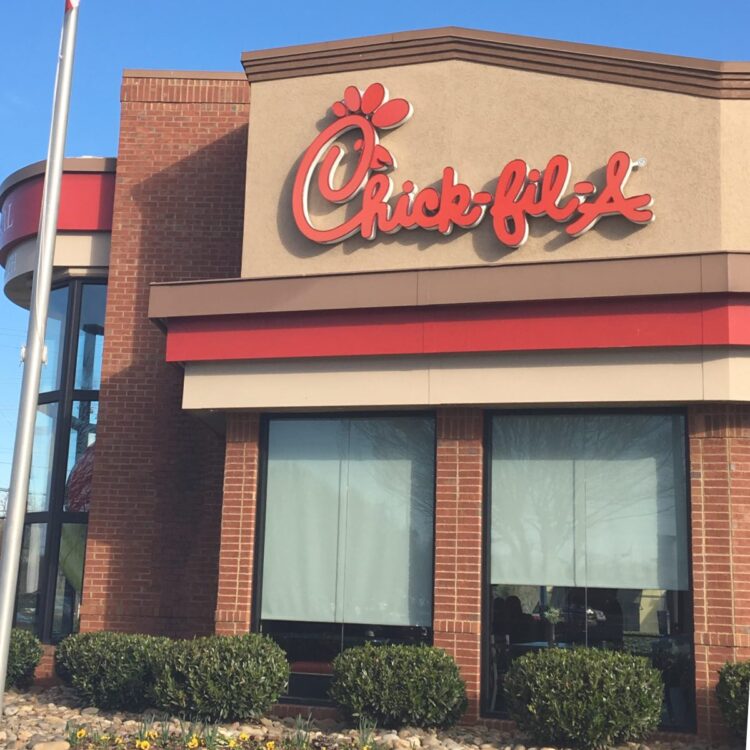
[{"x": 260, "y": 511}]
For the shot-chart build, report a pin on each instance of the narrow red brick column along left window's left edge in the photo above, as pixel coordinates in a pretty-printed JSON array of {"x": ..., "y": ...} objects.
[{"x": 234, "y": 599}]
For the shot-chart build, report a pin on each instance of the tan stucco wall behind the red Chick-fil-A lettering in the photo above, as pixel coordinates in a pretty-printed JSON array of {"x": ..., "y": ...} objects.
[{"x": 476, "y": 118}]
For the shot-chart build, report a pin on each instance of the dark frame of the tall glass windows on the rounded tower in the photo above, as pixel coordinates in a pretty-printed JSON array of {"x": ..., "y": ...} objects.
[{"x": 55, "y": 516}]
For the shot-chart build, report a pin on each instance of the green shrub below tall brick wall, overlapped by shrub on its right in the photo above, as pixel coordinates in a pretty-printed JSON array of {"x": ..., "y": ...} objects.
[{"x": 110, "y": 670}]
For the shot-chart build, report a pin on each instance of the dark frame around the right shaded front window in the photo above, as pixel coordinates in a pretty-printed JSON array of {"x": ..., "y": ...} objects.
[{"x": 486, "y": 596}]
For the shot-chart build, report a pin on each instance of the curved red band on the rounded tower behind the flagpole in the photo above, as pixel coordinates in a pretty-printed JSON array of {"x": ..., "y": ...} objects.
[{"x": 86, "y": 201}]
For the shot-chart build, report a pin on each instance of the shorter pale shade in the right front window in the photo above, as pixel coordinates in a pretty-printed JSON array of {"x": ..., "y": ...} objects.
[{"x": 589, "y": 500}]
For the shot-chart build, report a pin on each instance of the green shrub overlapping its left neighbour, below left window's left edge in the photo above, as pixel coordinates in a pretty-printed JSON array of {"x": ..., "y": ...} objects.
[{"x": 221, "y": 678}]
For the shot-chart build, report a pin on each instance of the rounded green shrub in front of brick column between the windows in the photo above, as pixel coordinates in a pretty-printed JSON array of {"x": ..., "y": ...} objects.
[{"x": 397, "y": 686}]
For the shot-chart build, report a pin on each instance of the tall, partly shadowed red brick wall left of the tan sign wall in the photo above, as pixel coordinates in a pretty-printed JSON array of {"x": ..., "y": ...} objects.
[{"x": 152, "y": 555}]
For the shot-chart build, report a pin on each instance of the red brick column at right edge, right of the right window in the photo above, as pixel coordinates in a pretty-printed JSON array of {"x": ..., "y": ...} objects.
[{"x": 720, "y": 518}]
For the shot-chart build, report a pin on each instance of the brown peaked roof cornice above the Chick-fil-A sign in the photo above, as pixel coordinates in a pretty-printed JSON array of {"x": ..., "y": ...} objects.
[{"x": 685, "y": 75}]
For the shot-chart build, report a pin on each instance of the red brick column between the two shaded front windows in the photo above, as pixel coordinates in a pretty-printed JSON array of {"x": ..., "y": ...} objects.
[{"x": 458, "y": 543}]
